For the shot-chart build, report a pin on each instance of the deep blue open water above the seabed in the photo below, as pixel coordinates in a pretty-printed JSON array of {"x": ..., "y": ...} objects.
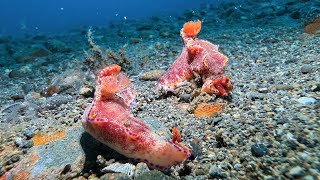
[{"x": 41, "y": 16}]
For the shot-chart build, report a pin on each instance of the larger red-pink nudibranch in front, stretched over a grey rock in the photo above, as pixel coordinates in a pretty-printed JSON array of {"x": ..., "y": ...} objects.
[{"x": 108, "y": 120}]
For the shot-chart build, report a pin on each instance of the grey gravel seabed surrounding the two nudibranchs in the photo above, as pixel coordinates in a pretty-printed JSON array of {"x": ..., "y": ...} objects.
[{"x": 268, "y": 129}]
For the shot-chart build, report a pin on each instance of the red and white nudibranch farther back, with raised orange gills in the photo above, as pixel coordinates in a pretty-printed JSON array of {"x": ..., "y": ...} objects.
[{"x": 197, "y": 57}]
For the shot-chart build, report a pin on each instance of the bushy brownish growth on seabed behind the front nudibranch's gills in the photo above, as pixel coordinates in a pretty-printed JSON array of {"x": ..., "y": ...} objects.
[{"x": 96, "y": 59}]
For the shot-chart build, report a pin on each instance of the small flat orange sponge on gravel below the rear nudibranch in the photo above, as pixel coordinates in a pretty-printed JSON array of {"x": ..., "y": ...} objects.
[{"x": 207, "y": 110}]
